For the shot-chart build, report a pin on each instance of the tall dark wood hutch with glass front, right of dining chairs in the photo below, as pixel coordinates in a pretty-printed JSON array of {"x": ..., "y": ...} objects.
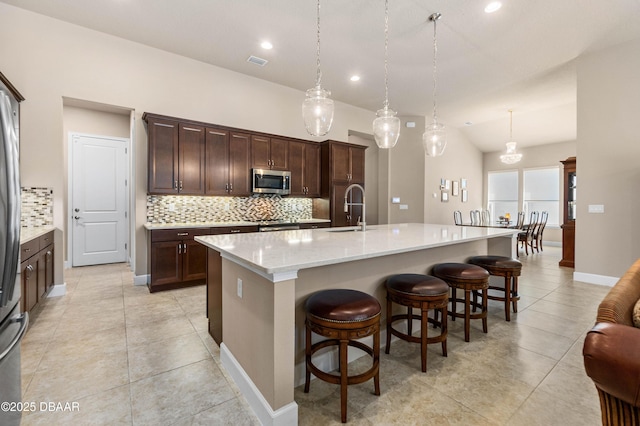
[{"x": 569, "y": 218}]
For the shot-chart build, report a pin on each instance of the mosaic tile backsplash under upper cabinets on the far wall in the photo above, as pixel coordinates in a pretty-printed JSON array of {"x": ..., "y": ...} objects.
[{"x": 194, "y": 209}]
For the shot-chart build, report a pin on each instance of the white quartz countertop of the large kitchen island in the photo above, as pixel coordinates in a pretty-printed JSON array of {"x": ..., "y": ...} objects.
[{"x": 270, "y": 253}]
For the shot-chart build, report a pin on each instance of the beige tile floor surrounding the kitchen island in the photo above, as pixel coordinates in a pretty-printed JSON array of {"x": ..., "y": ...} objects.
[{"x": 133, "y": 358}]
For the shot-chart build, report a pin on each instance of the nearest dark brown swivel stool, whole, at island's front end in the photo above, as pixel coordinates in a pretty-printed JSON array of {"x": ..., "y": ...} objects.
[{"x": 343, "y": 316}]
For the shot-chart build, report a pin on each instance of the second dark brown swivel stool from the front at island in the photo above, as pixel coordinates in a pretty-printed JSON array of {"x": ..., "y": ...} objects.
[{"x": 422, "y": 292}]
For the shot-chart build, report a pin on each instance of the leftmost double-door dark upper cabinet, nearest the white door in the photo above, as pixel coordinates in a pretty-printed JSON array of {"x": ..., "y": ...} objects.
[{"x": 176, "y": 156}]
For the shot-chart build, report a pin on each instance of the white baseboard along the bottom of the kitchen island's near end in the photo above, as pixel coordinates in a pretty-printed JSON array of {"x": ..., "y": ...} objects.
[{"x": 285, "y": 416}]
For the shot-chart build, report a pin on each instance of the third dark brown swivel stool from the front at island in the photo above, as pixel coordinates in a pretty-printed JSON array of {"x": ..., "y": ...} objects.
[{"x": 468, "y": 278}]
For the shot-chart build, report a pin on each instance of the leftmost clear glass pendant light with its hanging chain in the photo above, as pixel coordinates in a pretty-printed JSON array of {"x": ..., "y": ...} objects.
[{"x": 317, "y": 108}]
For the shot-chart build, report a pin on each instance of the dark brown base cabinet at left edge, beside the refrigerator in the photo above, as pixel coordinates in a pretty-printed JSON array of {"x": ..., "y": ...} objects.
[{"x": 36, "y": 270}]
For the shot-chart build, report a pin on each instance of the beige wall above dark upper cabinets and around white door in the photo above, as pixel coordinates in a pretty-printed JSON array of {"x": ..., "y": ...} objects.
[{"x": 48, "y": 60}]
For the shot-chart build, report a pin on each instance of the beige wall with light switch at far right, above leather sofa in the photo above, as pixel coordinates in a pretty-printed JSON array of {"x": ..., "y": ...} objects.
[{"x": 608, "y": 160}]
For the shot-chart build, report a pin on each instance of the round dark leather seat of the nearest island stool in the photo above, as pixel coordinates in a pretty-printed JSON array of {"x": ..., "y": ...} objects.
[{"x": 342, "y": 305}]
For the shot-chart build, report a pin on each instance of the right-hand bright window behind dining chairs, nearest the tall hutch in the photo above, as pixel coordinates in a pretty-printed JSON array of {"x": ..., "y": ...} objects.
[{"x": 542, "y": 192}]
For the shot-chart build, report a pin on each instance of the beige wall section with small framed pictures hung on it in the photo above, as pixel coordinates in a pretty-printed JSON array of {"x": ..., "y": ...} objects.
[{"x": 460, "y": 160}]
